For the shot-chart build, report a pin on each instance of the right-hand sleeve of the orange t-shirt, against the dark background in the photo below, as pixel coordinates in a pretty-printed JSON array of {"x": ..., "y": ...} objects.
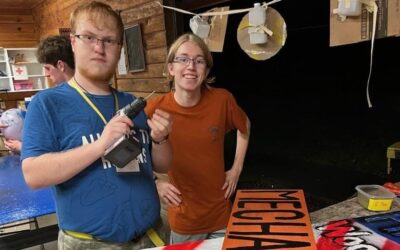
[{"x": 236, "y": 117}]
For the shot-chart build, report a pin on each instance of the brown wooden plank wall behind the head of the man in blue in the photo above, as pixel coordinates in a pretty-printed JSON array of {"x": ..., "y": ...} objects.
[{"x": 50, "y": 15}]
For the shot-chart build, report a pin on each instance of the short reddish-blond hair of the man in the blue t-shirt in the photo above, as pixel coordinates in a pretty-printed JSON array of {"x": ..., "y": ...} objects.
[{"x": 96, "y": 12}]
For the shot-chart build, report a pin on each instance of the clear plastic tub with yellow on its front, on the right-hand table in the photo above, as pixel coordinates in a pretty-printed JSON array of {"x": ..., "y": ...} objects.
[{"x": 375, "y": 197}]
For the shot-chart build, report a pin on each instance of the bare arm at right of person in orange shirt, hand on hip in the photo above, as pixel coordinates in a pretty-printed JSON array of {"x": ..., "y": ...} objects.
[{"x": 232, "y": 175}]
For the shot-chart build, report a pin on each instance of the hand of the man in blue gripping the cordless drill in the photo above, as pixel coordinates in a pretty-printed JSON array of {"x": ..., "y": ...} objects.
[{"x": 117, "y": 127}]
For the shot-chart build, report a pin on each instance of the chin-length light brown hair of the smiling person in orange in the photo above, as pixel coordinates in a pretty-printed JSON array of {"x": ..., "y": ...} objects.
[{"x": 197, "y": 40}]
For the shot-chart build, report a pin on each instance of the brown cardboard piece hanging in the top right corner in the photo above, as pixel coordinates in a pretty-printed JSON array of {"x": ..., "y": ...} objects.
[{"x": 358, "y": 29}]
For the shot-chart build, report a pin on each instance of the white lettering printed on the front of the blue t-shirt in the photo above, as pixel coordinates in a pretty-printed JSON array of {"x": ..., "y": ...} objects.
[{"x": 143, "y": 137}]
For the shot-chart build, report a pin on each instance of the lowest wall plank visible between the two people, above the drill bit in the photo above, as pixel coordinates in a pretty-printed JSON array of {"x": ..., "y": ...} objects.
[{"x": 144, "y": 85}]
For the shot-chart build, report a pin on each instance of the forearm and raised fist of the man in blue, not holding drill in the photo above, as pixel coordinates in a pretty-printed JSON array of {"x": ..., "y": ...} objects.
[{"x": 160, "y": 125}]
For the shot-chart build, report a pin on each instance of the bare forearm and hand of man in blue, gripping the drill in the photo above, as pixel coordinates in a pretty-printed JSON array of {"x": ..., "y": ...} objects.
[{"x": 57, "y": 167}]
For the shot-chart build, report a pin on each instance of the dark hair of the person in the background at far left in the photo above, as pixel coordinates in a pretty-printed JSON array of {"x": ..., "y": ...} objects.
[{"x": 54, "y": 48}]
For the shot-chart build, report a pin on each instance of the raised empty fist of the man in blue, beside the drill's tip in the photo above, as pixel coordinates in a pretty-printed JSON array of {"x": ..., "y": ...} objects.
[{"x": 160, "y": 124}]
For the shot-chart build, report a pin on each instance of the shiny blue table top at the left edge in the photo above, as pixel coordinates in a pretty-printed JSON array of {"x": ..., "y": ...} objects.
[{"x": 17, "y": 200}]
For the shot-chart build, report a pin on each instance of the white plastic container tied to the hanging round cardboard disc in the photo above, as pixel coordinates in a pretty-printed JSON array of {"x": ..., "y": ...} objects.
[{"x": 257, "y": 16}]
